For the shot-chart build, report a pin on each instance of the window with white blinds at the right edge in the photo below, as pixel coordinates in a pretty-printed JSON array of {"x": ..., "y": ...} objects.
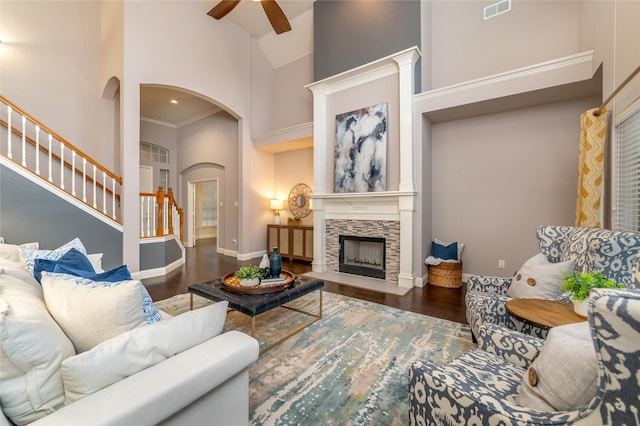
[{"x": 626, "y": 213}]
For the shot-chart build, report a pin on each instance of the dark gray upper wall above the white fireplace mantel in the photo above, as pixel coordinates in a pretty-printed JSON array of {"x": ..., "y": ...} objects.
[{"x": 348, "y": 34}]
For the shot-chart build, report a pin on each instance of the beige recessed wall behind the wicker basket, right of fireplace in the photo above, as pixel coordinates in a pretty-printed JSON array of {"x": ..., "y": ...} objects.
[{"x": 496, "y": 177}]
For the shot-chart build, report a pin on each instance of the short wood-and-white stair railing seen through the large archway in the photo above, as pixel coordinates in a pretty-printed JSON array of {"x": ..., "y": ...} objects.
[{"x": 160, "y": 214}]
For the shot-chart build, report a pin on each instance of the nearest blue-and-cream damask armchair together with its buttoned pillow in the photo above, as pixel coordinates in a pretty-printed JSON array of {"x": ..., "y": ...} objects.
[{"x": 584, "y": 374}]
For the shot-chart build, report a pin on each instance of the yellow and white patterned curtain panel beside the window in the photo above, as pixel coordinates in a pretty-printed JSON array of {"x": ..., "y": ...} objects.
[{"x": 593, "y": 131}]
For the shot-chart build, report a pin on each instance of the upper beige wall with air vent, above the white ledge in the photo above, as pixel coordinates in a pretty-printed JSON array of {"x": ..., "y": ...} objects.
[{"x": 465, "y": 47}]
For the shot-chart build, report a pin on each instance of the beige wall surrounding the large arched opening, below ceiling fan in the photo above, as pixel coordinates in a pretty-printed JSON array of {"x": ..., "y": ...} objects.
[{"x": 209, "y": 57}]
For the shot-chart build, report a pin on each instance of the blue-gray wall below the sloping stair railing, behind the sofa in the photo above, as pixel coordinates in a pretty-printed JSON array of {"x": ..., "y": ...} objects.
[{"x": 30, "y": 213}]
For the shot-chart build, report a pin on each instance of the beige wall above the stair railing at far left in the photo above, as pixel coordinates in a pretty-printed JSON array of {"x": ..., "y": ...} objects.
[{"x": 52, "y": 67}]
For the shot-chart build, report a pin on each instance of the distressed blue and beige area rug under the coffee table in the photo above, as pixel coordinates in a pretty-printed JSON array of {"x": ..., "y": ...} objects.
[{"x": 350, "y": 367}]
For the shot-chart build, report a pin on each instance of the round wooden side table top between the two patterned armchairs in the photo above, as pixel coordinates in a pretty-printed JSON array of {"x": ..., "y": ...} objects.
[{"x": 543, "y": 313}]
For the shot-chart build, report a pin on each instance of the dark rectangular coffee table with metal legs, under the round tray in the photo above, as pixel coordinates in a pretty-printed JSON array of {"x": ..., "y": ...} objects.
[{"x": 256, "y": 304}]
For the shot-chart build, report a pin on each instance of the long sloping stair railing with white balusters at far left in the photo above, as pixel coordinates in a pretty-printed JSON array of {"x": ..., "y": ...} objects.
[{"x": 48, "y": 161}]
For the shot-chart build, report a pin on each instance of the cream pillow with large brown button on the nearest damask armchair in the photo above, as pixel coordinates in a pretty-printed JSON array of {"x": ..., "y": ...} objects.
[{"x": 564, "y": 376}]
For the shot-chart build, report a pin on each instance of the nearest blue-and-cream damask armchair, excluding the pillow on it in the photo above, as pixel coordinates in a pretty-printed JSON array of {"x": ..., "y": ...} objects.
[{"x": 481, "y": 386}]
